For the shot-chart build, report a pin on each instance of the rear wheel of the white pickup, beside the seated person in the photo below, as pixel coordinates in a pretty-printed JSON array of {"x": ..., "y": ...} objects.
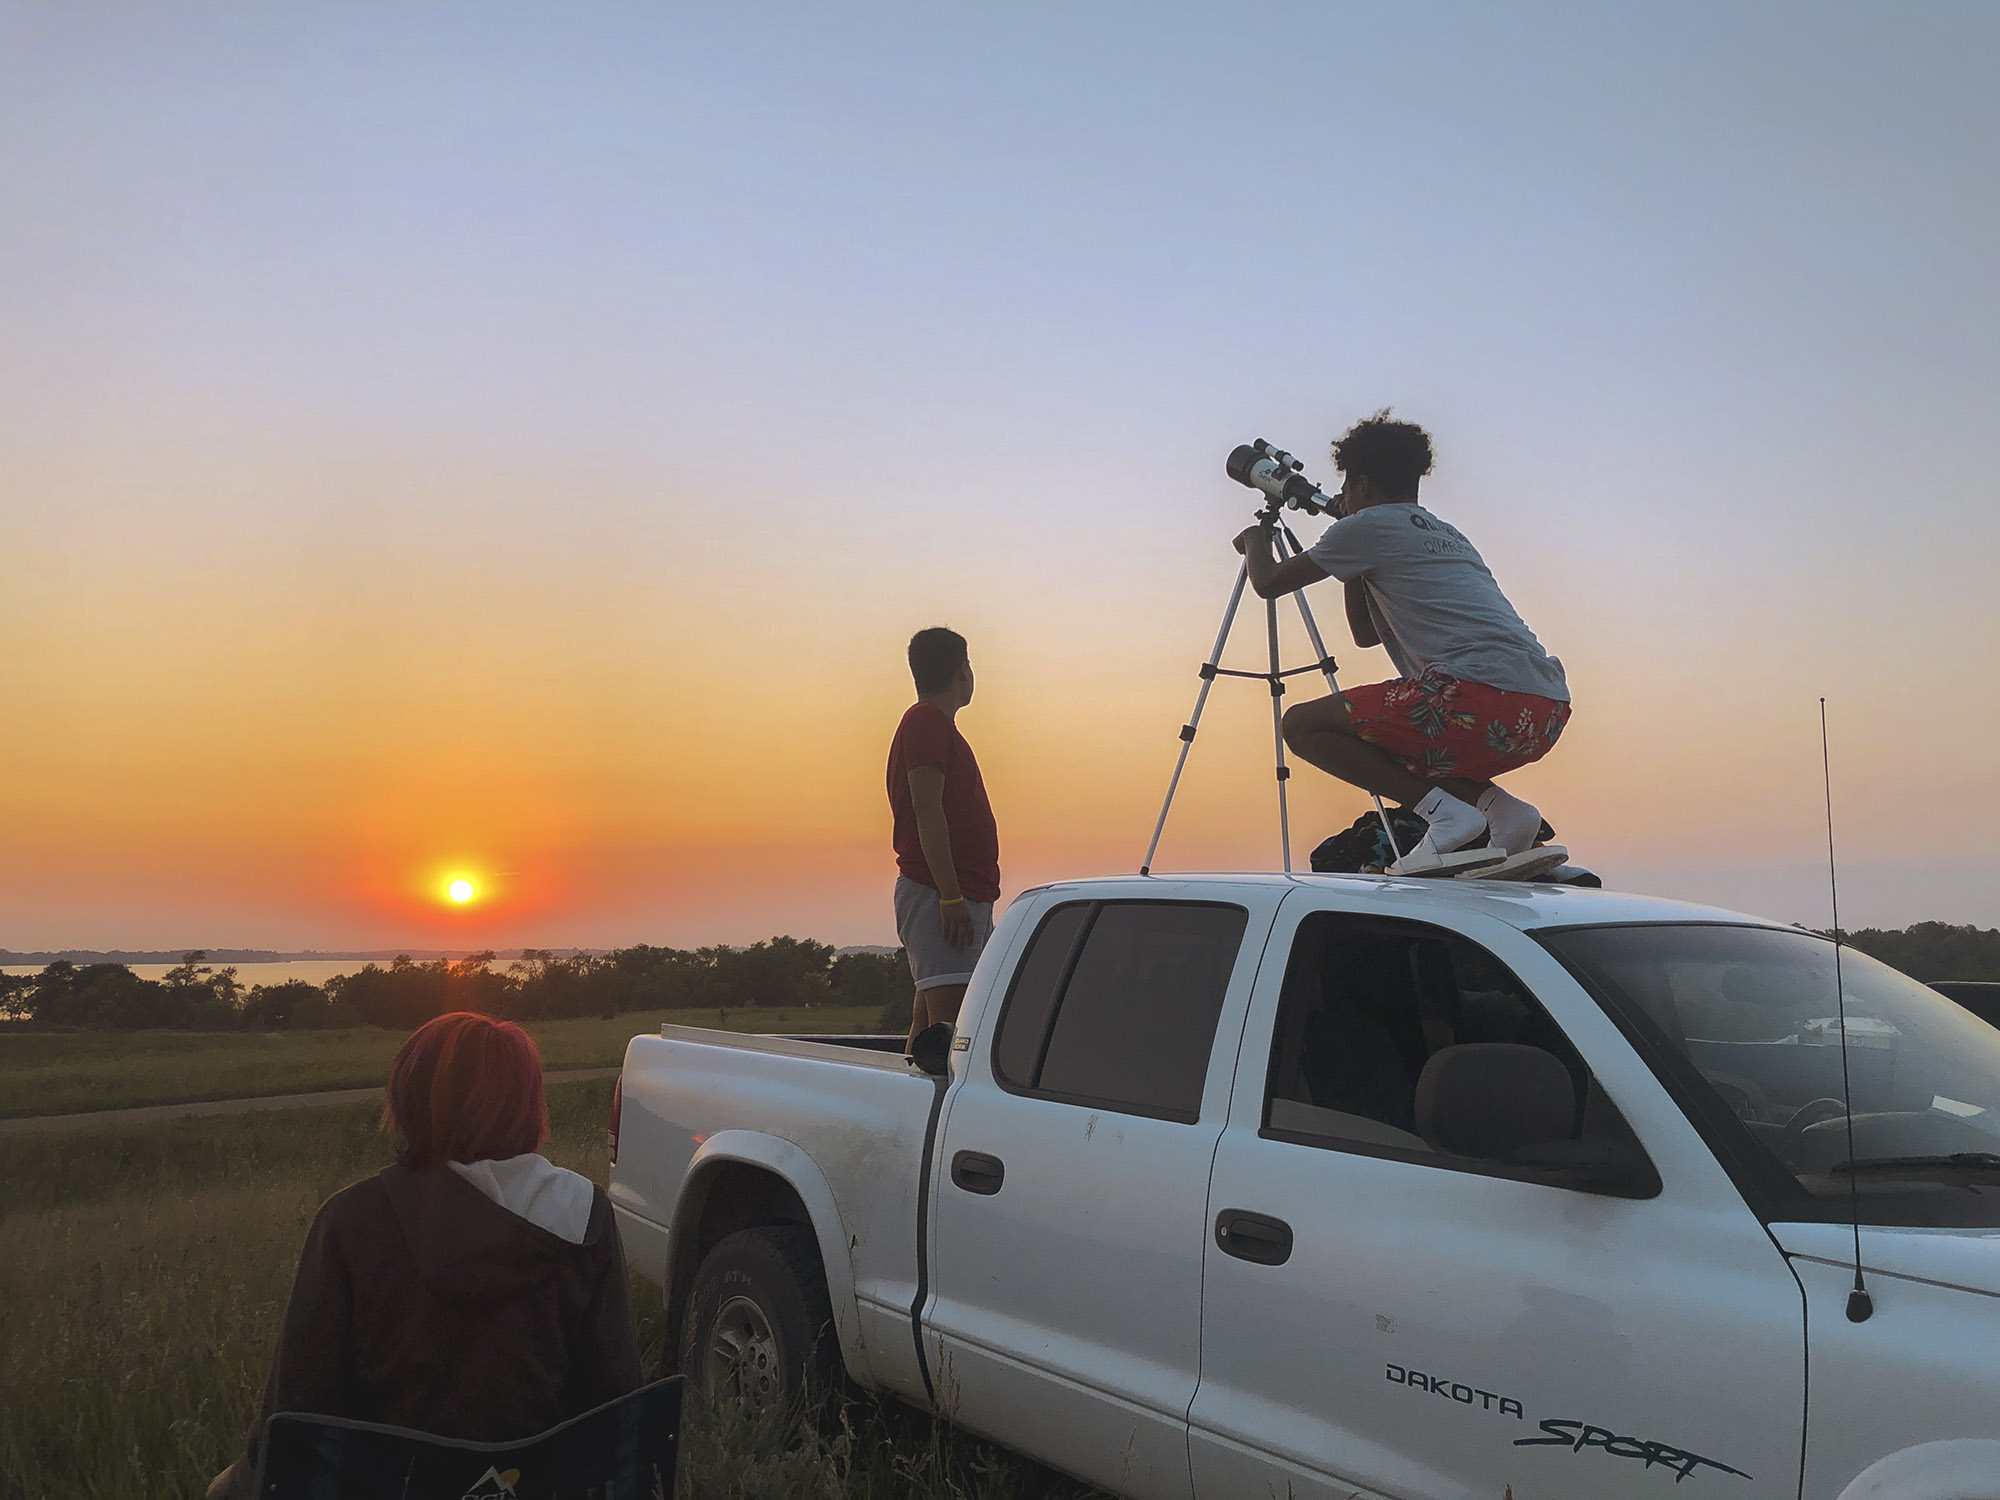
[{"x": 761, "y": 1327}]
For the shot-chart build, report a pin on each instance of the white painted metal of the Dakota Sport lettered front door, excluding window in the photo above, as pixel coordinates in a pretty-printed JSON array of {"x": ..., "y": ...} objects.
[{"x": 1403, "y": 1365}]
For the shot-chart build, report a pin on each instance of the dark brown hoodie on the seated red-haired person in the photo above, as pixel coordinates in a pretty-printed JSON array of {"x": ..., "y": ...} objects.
[{"x": 425, "y": 1305}]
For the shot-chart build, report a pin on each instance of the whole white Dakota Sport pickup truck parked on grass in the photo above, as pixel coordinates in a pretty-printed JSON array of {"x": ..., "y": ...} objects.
[{"x": 1353, "y": 1187}]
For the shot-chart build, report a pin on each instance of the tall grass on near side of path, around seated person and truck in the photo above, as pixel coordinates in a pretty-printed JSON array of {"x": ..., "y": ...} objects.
[{"x": 143, "y": 1275}]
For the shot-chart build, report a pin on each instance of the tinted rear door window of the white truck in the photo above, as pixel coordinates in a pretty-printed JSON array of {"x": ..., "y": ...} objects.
[{"x": 1117, "y": 1005}]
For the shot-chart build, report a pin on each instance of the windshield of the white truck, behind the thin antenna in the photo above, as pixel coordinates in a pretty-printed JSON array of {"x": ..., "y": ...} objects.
[{"x": 1757, "y": 1015}]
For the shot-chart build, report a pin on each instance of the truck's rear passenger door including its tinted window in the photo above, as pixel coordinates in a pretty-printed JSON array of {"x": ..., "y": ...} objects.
[{"x": 1073, "y": 1193}]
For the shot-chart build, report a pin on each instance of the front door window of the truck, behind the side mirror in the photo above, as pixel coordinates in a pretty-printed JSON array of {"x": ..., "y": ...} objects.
[{"x": 1369, "y": 1007}]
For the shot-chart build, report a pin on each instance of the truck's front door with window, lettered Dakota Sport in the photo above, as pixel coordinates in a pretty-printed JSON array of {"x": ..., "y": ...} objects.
[{"x": 1409, "y": 1295}]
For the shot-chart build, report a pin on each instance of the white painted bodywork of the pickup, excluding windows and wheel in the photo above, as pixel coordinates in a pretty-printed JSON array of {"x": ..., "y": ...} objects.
[{"x": 1435, "y": 1335}]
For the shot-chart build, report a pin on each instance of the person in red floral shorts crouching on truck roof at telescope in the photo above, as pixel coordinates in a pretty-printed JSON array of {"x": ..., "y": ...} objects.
[{"x": 1477, "y": 695}]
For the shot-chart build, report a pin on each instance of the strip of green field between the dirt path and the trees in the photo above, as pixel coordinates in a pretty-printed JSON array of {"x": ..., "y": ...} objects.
[{"x": 65, "y": 1073}]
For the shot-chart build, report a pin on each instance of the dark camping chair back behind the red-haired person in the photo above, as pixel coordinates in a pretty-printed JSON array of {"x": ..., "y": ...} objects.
[{"x": 621, "y": 1451}]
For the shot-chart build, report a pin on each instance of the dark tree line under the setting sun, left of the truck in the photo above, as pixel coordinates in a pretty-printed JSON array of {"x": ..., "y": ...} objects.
[{"x": 539, "y": 985}]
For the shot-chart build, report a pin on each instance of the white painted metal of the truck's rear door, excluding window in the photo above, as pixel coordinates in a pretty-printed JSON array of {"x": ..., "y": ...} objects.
[{"x": 1073, "y": 1301}]
